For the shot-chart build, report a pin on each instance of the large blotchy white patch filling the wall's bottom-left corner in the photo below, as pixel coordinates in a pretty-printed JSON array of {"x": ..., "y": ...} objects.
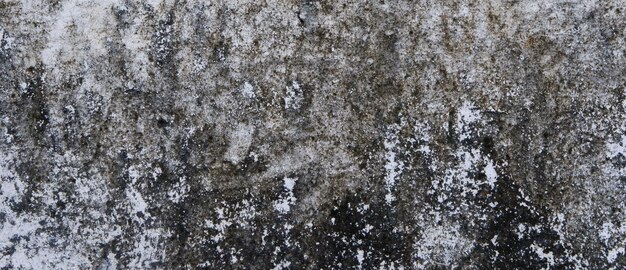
[{"x": 37, "y": 252}]
